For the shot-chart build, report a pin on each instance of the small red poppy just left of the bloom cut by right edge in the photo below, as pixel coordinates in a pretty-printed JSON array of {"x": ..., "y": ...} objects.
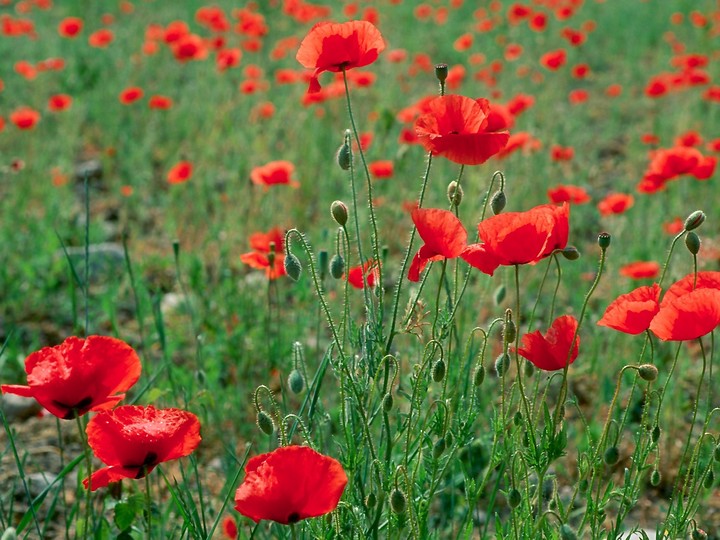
[{"x": 632, "y": 313}]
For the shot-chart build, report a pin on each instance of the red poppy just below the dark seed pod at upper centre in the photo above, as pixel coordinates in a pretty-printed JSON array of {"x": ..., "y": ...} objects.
[{"x": 460, "y": 129}]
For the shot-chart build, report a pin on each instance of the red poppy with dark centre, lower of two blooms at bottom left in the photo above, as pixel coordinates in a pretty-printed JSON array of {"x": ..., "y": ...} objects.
[{"x": 132, "y": 440}]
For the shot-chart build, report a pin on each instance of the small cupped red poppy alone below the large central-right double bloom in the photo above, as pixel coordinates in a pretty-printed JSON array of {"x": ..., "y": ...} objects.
[{"x": 551, "y": 351}]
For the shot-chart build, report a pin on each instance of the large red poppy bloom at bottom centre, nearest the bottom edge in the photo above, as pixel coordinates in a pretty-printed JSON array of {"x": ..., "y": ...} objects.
[{"x": 289, "y": 484}]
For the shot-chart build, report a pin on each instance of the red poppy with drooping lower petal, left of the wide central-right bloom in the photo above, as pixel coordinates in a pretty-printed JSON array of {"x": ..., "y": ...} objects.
[{"x": 444, "y": 236}]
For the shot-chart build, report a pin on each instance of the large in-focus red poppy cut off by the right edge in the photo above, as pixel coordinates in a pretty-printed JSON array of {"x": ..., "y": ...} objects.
[{"x": 689, "y": 309}]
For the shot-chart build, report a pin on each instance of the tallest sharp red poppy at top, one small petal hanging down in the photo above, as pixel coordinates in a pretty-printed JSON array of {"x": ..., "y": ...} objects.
[{"x": 339, "y": 46}]
